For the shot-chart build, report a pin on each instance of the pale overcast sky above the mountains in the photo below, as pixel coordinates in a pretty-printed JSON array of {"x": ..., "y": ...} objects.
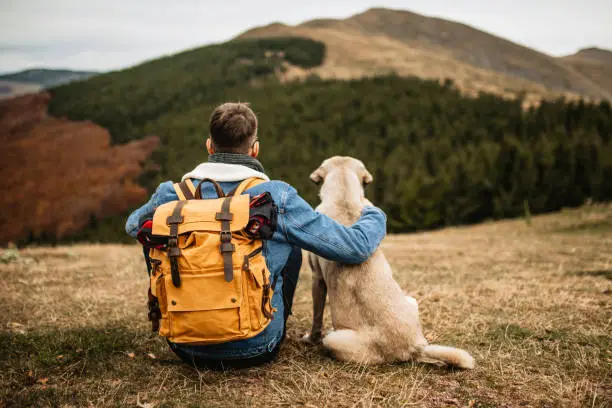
[{"x": 105, "y": 35}]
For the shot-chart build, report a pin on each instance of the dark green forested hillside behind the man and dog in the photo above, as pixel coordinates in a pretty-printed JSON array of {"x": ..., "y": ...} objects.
[{"x": 438, "y": 158}]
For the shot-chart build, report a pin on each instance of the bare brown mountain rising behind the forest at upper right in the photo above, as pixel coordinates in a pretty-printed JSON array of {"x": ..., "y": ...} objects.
[{"x": 383, "y": 40}]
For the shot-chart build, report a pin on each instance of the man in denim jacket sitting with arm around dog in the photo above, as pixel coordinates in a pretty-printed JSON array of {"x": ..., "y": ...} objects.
[{"x": 233, "y": 148}]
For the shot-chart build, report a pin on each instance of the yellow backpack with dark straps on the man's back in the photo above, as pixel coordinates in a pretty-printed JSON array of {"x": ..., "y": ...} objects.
[{"x": 211, "y": 283}]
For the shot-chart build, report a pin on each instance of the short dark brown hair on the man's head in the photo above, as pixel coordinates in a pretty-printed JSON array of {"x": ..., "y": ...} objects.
[{"x": 233, "y": 127}]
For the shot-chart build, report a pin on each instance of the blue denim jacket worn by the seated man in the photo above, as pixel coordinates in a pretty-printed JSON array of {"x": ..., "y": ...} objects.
[{"x": 298, "y": 225}]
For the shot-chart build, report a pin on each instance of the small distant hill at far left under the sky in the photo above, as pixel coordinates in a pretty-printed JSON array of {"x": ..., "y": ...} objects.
[{"x": 32, "y": 80}]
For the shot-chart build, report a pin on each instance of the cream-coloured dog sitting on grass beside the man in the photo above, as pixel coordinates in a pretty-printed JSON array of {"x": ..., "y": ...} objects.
[{"x": 373, "y": 320}]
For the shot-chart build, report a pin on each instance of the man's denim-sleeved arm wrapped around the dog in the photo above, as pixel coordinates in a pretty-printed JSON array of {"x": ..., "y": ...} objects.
[{"x": 321, "y": 235}]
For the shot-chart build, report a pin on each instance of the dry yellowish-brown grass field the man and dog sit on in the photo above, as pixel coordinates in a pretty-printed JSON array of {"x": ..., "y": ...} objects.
[{"x": 532, "y": 303}]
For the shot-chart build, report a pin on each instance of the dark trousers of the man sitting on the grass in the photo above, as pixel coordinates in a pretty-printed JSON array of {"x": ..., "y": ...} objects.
[{"x": 290, "y": 273}]
